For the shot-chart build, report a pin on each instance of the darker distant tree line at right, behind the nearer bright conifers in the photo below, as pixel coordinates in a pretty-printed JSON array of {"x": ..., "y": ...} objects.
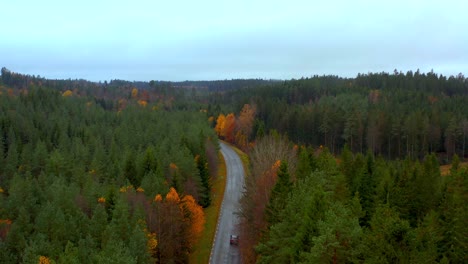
[{"x": 394, "y": 115}]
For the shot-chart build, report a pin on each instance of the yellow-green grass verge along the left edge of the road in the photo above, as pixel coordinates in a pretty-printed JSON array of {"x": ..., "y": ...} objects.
[{"x": 202, "y": 251}]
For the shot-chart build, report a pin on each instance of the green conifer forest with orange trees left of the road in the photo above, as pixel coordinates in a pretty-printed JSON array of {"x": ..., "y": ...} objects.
[{"x": 94, "y": 180}]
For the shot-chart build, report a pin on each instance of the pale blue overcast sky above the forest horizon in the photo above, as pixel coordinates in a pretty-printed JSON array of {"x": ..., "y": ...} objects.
[{"x": 174, "y": 40}]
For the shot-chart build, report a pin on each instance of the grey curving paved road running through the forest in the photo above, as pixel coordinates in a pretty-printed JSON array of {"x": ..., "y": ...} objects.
[{"x": 222, "y": 251}]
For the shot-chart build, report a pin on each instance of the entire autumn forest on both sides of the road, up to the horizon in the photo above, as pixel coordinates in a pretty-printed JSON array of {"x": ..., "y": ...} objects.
[{"x": 341, "y": 170}]
